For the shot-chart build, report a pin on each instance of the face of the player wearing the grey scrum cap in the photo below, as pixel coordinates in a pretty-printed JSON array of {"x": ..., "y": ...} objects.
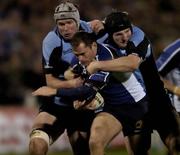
[{"x": 67, "y": 28}]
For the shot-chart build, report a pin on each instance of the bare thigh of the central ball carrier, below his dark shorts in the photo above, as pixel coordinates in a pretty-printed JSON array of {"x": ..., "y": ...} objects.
[{"x": 104, "y": 128}]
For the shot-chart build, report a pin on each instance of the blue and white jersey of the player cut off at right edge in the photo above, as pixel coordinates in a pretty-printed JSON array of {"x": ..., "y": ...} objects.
[{"x": 168, "y": 65}]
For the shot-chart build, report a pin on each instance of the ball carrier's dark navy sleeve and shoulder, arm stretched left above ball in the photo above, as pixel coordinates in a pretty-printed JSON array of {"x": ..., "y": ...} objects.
[{"x": 93, "y": 83}]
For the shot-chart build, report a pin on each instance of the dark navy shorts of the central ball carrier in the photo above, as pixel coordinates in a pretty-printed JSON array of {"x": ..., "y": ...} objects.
[{"x": 131, "y": 116}]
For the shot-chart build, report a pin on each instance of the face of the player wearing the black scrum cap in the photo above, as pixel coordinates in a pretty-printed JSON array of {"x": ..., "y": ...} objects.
[{"x": 121, "y": 38}]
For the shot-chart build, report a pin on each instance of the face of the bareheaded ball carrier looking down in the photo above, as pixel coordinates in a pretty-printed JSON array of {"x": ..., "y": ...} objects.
[{"x": 86, "y": 54}]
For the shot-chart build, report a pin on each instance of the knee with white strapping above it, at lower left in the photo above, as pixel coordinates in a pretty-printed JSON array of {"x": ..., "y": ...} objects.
[{"x": 39, "y": 143}]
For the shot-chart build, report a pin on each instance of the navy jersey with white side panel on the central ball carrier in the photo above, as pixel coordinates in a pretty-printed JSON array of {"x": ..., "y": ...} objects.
[{"x": 114, "y": 92}]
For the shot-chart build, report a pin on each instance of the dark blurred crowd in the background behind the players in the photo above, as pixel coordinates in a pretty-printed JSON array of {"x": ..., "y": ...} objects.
[{"x": 24, "y": 24}]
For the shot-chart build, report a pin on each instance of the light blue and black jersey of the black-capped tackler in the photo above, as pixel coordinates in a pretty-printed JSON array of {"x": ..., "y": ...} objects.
[{"x": 140, "y": 44}]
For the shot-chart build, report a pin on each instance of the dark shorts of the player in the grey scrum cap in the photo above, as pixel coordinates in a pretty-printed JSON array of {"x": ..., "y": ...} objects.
[{"x": 67, "y": 118}]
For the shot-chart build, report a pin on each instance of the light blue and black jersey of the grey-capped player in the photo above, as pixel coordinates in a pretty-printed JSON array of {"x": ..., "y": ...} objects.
[{"x": 57, "y": 55}]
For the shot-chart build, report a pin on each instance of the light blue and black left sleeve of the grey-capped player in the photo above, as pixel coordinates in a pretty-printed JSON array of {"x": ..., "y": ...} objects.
[{"x": 52, "y": 56}]
